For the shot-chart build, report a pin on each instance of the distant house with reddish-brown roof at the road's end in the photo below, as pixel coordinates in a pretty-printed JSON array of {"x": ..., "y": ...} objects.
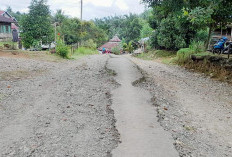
[{"x": 114, "y": 42}]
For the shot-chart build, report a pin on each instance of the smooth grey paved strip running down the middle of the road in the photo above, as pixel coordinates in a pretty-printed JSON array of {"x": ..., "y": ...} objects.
[{"x": 141, "y": 133}]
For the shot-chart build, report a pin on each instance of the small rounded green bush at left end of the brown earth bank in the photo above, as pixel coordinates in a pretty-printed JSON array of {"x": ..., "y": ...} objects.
[{"x": 183, "y": 55}]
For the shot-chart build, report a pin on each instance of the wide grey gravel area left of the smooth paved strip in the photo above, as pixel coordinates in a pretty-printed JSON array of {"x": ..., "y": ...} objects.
[{"x": 56, "y": 109}]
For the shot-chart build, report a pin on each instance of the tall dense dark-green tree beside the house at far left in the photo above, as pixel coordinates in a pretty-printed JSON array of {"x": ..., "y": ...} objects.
[{"x": 36, "y": 25}]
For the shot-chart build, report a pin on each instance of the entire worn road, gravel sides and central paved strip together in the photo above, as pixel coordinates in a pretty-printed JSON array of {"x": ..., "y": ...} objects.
[{"x": 101, "y": 106}]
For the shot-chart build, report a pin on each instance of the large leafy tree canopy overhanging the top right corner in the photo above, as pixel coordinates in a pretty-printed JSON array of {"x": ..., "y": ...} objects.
[{"x": 201, "y": 14}]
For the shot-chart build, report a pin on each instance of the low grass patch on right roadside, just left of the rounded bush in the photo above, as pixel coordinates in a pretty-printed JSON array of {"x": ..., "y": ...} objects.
[{"x": 163, "y": 56}]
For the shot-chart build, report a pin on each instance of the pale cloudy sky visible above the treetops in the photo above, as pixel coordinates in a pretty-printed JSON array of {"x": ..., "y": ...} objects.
[{"x": 92, "y": 8}]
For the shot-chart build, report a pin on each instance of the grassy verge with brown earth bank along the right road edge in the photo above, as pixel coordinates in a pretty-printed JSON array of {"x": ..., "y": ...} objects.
[{"x": 182, "y": 58}]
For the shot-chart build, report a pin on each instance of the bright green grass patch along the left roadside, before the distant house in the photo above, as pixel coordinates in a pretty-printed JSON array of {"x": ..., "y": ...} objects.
[{"x": 82, "y": 51}]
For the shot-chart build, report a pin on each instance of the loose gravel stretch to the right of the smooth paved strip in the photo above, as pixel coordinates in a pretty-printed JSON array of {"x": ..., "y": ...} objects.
[{"x": 195, "y": 109}]
